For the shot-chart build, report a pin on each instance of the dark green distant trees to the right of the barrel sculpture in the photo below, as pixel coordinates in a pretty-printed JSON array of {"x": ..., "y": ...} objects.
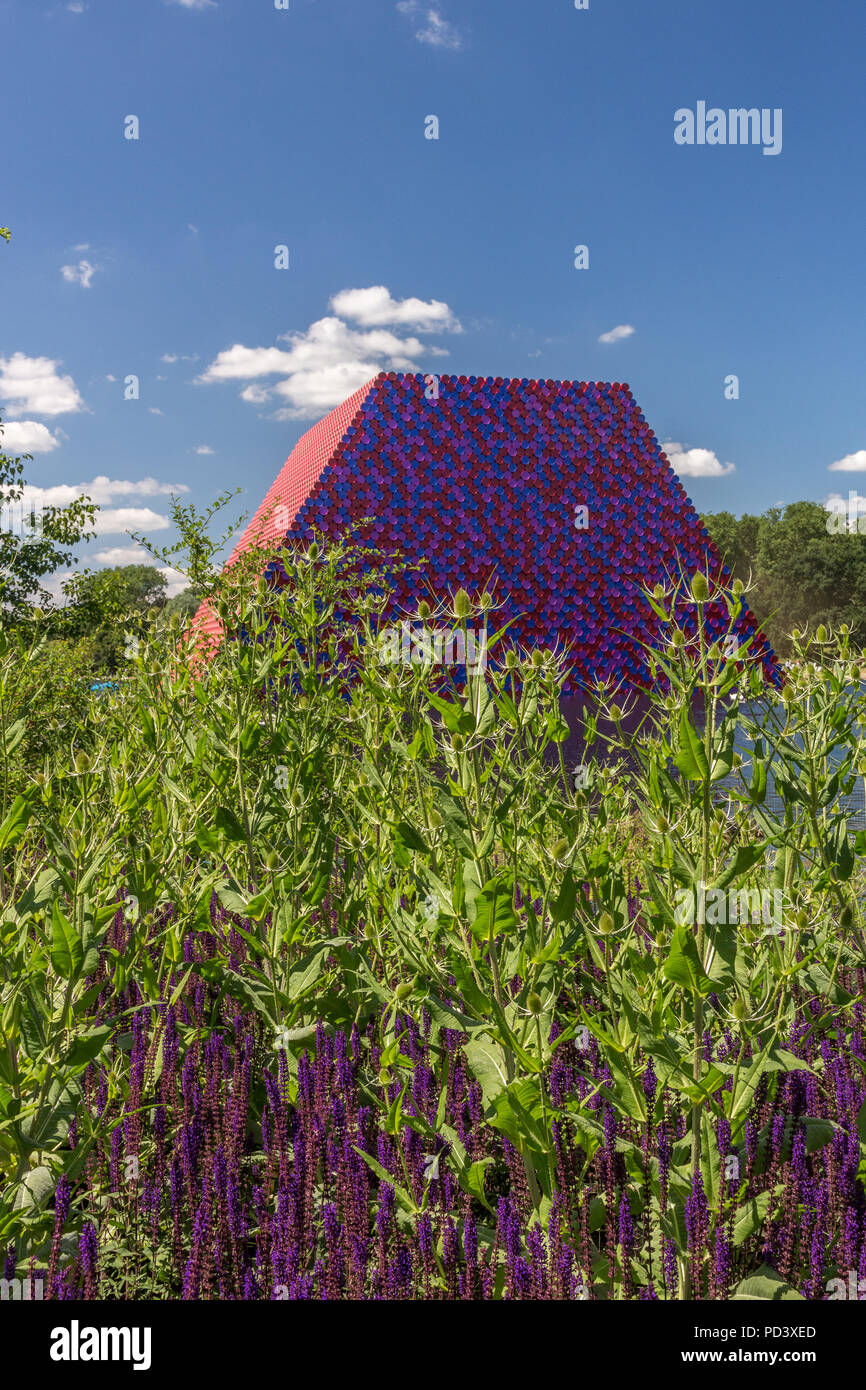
[{"x": 803, "y": 575}]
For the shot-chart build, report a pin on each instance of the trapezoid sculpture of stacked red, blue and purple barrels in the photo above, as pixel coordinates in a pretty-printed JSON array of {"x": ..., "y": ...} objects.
[{"x": 553, "y": 494}]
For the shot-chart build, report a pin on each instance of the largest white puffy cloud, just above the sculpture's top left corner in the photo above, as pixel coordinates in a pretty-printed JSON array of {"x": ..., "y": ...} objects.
[{"x": 327, "y": 362}]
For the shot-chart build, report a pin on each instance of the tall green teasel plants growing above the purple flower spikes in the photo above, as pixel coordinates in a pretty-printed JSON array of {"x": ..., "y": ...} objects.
[{"x": 394, "y": 843}]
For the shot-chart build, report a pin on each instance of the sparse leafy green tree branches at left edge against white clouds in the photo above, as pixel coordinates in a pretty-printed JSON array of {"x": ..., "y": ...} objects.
[{"x": 34, "y": 541}]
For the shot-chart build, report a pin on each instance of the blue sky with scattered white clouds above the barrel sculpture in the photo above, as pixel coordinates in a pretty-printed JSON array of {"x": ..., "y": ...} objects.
[{"x": 307, "y": 129}]
